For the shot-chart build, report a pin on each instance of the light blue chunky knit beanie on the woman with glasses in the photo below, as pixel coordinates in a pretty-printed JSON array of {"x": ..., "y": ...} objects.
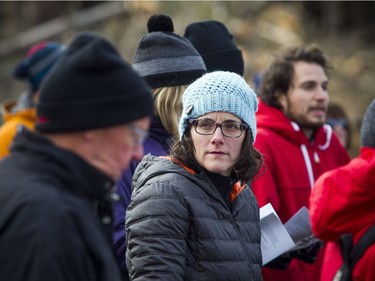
[{"x": 219, "y": 91}]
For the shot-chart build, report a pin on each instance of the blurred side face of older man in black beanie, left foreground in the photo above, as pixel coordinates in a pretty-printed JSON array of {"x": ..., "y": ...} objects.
[{"x": 117, "y": 146}]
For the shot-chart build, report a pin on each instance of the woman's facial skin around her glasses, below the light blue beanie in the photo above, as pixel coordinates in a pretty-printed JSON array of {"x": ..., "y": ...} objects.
[{"x": 217, "y": 153}]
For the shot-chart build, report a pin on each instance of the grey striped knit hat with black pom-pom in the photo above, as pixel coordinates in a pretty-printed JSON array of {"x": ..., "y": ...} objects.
[{"x": 164, "y": 58}]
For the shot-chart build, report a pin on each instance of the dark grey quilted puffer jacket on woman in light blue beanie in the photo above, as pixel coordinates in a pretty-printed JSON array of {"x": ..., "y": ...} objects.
[{"x": 180, "y": 228}]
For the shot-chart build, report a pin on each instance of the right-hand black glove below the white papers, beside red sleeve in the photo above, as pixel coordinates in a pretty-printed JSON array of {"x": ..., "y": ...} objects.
[{"x": 307, "y": 250}]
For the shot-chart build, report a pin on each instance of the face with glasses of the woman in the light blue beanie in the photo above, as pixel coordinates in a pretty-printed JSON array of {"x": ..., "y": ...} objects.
[{"x": 216, "y": 152}]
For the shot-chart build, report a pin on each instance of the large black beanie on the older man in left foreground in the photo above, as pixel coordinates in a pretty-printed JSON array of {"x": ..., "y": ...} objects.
[{"x": 91, "y": 87}]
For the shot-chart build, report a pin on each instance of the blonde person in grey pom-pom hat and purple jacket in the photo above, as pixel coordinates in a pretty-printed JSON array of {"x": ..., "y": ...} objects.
[{"x": 169, "y": 63}]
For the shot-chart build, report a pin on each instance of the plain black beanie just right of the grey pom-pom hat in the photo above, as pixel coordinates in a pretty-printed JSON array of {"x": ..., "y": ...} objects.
[{"x": 216, "y": 45}]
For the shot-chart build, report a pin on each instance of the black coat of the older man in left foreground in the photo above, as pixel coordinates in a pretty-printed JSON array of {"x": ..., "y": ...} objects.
[{"x": 55, "y": 216}]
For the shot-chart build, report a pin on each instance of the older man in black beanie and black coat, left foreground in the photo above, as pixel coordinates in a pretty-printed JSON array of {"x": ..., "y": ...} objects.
[{"x": 56, "y": 186}]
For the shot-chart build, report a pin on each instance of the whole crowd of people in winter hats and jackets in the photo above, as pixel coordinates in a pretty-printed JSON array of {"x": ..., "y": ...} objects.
[{"x": 157, "y": 170}]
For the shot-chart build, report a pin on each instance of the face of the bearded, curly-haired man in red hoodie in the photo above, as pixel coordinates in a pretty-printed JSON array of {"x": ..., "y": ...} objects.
[{"x": 307, "y": 98}]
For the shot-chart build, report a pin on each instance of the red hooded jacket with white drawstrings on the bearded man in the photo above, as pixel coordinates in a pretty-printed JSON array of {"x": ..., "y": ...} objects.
[{"x": 292, "y": 164}]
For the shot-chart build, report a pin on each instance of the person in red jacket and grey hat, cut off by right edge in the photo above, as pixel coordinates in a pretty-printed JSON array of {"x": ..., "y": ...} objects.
[{"x": 342, "y": 202}]
